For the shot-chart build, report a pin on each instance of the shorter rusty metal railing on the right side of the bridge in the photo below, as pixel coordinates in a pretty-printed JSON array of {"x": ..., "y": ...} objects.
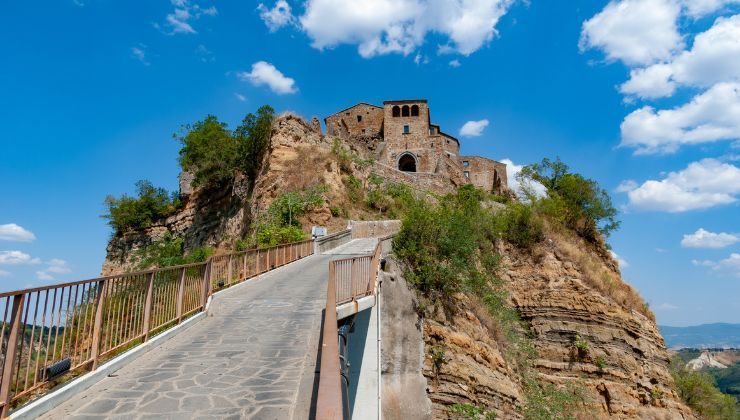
[{"x": 349, "y": 279}]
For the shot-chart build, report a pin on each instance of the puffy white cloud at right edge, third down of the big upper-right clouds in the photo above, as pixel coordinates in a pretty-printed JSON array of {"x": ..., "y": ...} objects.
[{"x": 711, "y": 116}]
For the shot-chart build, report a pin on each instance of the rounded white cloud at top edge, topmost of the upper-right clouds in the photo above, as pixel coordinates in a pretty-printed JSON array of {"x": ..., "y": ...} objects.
[{"x": 634, "y": 31}]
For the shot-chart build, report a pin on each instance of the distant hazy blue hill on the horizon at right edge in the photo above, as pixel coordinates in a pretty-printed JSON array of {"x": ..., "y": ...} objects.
[{"x": 718, "y": 335}]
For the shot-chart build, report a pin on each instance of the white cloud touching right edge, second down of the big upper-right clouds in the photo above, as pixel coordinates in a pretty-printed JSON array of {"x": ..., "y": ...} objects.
[{"x": 712, "y": 59}]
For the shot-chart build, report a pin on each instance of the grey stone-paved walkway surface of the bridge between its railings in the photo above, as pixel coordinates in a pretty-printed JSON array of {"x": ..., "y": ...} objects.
[{"x": 253, "y": 356}]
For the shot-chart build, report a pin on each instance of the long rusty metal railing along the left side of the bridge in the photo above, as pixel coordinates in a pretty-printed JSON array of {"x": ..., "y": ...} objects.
[{"x": 50, "y": 330}]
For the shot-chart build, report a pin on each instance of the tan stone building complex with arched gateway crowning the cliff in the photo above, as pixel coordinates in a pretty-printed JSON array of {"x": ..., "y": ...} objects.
[{"x": 407, "y": 141}]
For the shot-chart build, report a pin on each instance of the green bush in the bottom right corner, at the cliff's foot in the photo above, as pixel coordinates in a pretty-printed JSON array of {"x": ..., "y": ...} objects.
[{"x": 699, "y": 392}]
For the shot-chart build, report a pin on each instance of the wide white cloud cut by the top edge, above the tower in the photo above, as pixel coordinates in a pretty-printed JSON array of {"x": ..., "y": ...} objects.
[{"x": 400, "y": 26}]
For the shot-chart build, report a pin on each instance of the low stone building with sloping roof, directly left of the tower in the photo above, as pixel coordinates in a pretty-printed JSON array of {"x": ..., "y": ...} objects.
[{"x": 359, "y": 120}]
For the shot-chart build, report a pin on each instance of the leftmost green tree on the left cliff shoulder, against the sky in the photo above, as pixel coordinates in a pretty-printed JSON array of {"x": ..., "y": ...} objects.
[{"x": 150, "y": 205}]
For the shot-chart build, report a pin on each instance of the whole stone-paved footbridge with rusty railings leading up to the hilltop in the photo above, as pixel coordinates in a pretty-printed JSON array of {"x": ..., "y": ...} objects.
[{"x": 261, "y": 334}]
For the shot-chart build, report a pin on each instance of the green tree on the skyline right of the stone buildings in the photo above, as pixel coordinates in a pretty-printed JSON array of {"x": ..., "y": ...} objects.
[{"x": 578, "y": 202}]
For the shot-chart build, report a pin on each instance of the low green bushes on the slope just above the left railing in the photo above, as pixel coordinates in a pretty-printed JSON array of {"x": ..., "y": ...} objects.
[{"x": 168, "y": 252}]
